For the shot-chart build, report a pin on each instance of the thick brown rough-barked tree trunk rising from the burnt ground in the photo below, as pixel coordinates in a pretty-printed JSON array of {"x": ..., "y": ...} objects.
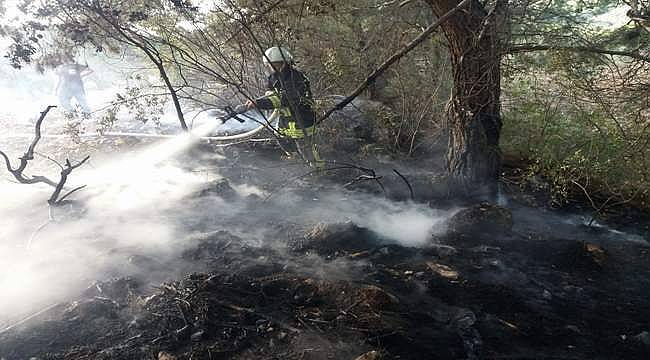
[{"x": 473, "y": 112}]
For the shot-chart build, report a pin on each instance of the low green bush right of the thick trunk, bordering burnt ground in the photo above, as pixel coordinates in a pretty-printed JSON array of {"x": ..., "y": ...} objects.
[{"x": 575, "y": 144}]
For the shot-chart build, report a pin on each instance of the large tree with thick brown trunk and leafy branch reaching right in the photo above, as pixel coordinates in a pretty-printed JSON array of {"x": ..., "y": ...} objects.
[{"x": 479, "y": 38}]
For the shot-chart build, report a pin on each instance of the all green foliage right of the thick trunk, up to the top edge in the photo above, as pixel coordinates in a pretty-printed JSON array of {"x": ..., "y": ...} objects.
[{"x": 580, "y": 118}]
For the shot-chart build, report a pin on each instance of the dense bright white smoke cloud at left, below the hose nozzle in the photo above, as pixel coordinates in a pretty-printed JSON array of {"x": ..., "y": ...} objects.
[{"x": 124, "y": 207}]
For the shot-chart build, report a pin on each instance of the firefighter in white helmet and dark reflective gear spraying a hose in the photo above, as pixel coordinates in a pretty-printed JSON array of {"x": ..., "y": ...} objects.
[{"x": 288, "y": 92}]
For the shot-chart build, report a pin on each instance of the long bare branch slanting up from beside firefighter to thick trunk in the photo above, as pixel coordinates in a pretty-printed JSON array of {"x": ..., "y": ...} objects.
[{"x": 391, "y": 60}]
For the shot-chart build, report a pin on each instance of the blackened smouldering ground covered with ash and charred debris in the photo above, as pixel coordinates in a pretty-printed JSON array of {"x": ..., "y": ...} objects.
[{"x": 499, "y": 284}]
